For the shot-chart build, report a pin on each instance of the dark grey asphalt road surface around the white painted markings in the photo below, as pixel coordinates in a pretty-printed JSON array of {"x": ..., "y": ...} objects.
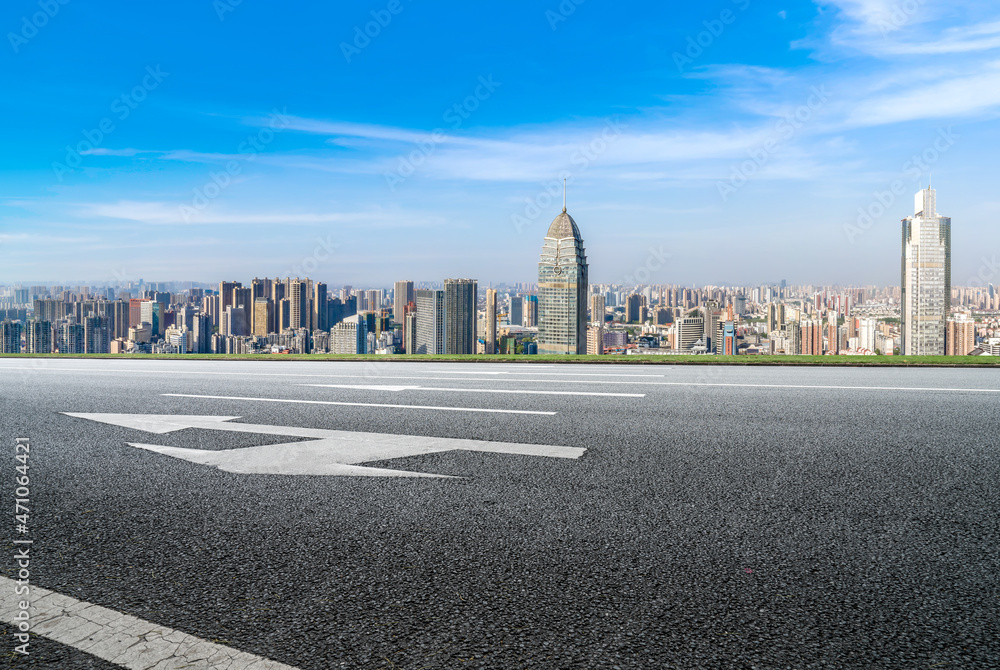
[{"x": 729, "y": 518}]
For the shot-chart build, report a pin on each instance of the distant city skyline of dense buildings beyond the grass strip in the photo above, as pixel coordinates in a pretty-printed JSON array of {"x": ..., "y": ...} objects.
[{"x": 560, "y": 314}]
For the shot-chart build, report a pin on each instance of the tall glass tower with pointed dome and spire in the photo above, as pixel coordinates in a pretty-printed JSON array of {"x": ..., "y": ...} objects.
[{"x": 563, "y": 285}]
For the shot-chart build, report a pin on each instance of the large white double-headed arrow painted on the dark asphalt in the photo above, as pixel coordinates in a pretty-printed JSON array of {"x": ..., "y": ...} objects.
[{"x": 328, "y": 452}]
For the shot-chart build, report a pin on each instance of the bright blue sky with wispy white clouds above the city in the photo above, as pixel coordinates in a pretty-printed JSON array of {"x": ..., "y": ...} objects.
[{"x": 205, "y": 140}]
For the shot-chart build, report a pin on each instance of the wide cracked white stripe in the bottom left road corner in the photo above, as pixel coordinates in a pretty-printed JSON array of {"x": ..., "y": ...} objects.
[{"x": 124, "y": 640}]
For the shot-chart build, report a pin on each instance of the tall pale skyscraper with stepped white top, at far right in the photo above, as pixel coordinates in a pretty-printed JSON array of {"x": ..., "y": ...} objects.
[{"x": 925, "y": 297}]
